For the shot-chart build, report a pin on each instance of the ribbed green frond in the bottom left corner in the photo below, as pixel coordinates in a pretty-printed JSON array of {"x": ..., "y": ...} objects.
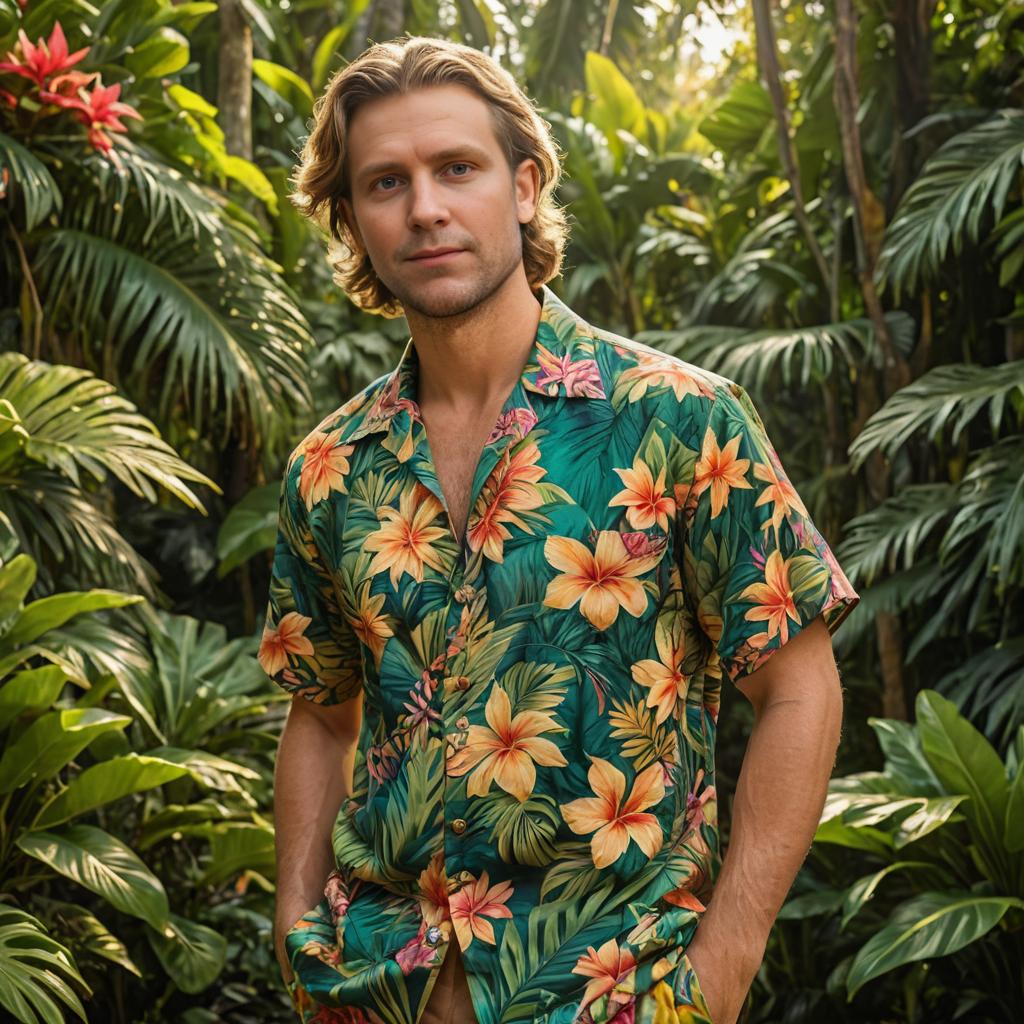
[{"x": 34, "y": 970}]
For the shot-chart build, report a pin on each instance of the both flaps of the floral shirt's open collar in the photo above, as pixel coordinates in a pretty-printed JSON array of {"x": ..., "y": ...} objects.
[{"x": 562, "y": 364}]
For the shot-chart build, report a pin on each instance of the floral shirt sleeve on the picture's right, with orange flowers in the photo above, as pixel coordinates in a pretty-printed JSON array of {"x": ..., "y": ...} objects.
[{"x": 756, "y": 567}]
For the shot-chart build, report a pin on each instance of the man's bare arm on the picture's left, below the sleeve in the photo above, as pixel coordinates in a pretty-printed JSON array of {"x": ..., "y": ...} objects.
[{"x": 313, "y": 777}]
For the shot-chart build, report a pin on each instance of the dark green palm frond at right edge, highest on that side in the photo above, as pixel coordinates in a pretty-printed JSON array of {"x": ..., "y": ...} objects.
[{"x": 972, "y": 175}]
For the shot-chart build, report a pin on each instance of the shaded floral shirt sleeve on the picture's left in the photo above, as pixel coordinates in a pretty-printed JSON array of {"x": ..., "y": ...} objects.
[{"x": 308, "y": 647}]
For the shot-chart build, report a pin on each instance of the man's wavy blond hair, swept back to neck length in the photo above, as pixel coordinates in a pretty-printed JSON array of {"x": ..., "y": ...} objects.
[{"x": 395, "y": 68}]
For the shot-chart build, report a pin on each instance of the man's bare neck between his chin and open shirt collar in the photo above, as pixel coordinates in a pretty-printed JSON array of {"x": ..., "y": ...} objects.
[{"x": 470, "y": 362}]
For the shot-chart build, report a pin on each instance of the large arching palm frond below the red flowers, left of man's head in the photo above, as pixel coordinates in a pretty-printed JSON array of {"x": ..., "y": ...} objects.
[{"x": 172, "y": 279}]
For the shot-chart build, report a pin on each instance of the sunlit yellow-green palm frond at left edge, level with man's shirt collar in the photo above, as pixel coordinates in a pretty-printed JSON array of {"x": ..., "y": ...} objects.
[{"x": 76, "y": 421}]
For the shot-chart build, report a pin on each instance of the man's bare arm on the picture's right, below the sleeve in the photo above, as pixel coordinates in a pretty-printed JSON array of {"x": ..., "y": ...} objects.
[{"x": 781, "y": 792}]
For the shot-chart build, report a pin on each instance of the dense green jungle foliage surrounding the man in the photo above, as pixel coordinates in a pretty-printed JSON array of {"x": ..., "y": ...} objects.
[{"x": 820, "y": 200}]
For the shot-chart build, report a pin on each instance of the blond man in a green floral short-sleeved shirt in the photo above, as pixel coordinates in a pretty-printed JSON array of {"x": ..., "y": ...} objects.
[{"x": 509, "y": 579}]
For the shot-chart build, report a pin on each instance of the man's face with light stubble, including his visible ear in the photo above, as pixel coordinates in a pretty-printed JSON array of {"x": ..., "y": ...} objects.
[{"x": 429, "y": 174}]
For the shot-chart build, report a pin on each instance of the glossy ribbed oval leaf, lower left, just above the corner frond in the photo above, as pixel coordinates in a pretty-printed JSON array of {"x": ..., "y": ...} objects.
[{"x": 105, "y": 866}]
